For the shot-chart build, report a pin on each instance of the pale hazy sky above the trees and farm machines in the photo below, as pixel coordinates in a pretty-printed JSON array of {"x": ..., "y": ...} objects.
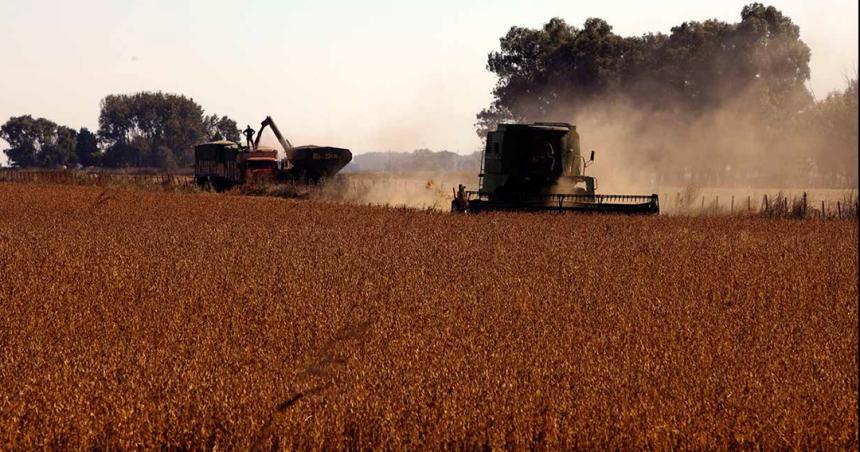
[{"x": 372, "y": 75}]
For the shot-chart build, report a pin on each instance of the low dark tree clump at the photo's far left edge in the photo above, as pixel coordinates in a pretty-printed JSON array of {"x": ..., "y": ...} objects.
[{"x": 38, "y": 142}]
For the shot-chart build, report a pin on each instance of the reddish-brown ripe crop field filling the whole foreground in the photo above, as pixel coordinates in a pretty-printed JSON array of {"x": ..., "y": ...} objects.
[{"x": 144, "y": 319}]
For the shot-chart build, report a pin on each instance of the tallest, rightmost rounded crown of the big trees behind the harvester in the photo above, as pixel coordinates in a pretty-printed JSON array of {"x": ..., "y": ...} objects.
[{"x": 761, "y": 57}]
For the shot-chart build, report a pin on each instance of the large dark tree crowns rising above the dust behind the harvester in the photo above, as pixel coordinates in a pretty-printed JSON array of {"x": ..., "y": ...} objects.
[{"x": 698, "y": 66}]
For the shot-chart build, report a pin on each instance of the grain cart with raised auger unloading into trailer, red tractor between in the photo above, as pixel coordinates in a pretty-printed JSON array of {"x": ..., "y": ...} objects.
[{"x": 224, "y": 164}]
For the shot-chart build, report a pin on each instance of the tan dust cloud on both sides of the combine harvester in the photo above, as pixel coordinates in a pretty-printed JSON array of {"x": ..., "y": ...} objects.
[{"x": 730, "y": 146}]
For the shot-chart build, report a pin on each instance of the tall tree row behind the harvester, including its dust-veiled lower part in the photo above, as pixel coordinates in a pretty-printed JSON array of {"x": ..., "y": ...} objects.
[{"x": 692, "y": 89}]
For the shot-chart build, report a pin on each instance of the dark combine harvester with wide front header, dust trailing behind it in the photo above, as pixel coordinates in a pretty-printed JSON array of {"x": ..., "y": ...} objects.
[{"x": 539, "y": 167}]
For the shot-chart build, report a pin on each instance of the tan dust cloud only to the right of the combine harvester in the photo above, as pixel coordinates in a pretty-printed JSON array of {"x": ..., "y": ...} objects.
[{"x": 728, "y": 146}]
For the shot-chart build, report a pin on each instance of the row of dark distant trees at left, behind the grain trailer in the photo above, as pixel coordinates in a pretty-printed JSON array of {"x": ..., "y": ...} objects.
[{"x": 146, "y": 129}]
